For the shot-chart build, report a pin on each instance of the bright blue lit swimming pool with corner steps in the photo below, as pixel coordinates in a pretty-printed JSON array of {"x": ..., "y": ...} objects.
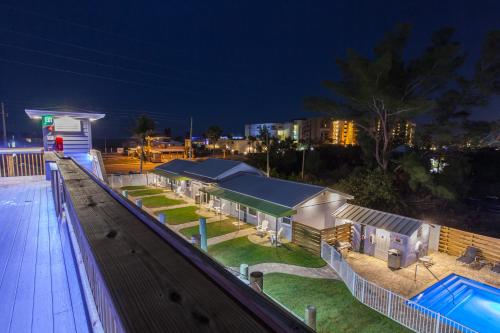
[{"x": 466, "y": 301}]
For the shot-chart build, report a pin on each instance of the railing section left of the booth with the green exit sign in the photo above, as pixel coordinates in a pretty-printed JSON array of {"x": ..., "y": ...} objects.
[{"x": 21, "y": 162}]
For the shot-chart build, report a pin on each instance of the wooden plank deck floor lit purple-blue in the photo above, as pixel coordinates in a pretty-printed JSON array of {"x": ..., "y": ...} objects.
[{"x": 39, "y": 285}]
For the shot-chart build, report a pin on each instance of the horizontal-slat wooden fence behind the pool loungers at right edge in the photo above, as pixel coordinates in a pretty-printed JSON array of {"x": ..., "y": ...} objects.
[{"x": 454, "y": 242}]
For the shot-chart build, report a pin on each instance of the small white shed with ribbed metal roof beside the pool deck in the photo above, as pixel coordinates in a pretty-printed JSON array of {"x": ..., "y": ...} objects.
[{"x": 376, "y": 232}]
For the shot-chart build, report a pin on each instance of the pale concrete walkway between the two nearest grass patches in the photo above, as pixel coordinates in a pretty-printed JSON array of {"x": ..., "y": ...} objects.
[{"x": 325, "y": 272}]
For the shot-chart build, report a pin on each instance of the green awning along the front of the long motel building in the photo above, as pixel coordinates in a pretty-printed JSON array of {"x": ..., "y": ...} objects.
[{"x": 255, "y": 203}]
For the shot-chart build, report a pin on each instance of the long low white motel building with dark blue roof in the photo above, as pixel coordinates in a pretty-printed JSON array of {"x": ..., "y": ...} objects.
[{"x": 237, "y": 189}]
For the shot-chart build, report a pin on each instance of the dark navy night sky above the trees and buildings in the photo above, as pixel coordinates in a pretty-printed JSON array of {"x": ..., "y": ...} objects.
[{"x": 226, "y": 63}]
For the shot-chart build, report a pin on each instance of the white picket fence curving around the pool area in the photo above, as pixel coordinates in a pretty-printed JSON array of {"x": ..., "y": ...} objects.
[{"x": 392, "y": 305}]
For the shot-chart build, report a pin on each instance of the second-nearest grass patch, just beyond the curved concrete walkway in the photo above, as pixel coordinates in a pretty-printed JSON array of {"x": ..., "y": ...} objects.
[{"x": 241, "y": 251}]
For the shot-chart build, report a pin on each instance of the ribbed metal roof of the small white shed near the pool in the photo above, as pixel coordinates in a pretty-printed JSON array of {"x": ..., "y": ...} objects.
[{"x": 382, "y": 220}]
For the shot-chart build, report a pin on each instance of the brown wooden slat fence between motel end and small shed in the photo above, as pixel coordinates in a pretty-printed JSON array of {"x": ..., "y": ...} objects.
[{"x": 310, "y": 238}]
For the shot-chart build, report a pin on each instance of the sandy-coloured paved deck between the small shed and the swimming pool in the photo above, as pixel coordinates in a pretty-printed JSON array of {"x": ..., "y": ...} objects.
[{"x": 402, "y": 281}]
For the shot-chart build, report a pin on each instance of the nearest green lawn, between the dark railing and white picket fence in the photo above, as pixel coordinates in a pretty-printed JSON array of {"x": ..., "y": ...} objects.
[{"x": 337, "y": 310}]
